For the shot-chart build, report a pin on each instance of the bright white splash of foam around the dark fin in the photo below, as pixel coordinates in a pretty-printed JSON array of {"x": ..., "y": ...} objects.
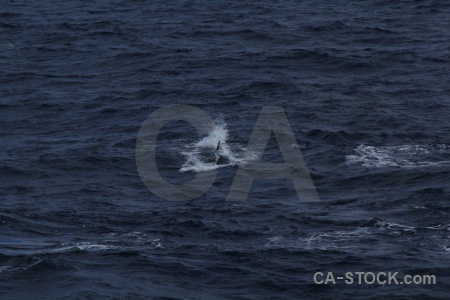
[{"x": 199, "y": 156}]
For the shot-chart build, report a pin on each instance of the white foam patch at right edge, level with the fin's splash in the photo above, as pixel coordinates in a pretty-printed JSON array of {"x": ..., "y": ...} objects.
[{"x": 401, "y": 156}]
